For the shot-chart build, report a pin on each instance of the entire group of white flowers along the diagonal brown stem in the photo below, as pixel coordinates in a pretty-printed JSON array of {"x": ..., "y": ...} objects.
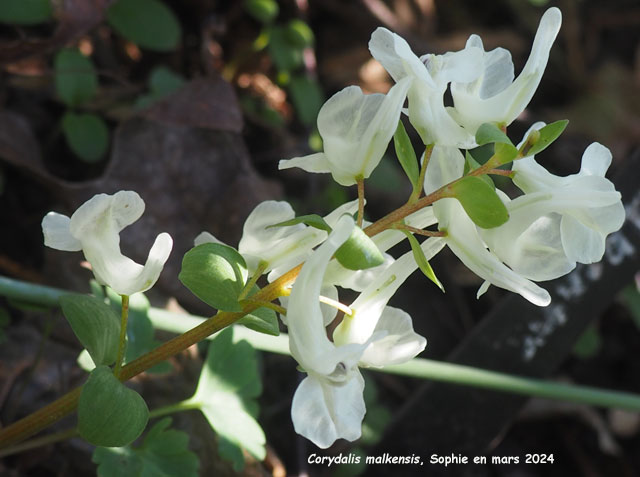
[{"x": 555, "y": 222}]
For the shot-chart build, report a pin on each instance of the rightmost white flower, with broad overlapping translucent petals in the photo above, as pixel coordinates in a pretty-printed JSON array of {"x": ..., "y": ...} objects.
[{"x": 559, "y": 220}]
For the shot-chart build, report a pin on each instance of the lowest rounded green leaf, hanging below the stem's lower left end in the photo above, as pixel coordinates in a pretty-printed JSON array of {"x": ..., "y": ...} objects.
[{"x": 109, "y": 413}]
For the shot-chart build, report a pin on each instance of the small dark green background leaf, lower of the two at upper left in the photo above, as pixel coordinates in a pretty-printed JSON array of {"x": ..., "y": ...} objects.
[{"x": 86, "y": 134}]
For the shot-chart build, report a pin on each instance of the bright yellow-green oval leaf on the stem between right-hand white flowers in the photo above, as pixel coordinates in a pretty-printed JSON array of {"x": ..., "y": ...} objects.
[{"x": 480, "y": 202}]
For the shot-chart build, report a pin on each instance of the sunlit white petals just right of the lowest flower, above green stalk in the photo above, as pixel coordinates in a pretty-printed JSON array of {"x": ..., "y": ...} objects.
[{"x": 399, "y": 342}]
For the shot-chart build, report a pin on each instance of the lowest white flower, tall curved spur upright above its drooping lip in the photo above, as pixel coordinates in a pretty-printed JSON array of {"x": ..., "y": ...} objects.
[{"x": 328, "y": 404}]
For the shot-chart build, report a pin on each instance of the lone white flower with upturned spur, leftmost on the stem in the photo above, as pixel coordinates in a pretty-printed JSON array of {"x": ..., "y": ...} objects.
[{"x": 95, "y": 229}]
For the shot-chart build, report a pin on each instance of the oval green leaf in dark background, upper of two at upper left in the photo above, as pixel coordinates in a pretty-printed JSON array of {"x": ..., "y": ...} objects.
[{"x": 75, "y": 77}]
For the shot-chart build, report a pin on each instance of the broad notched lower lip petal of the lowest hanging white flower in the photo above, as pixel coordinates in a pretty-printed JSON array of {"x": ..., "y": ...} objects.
[{"x": 324, "y": 412}]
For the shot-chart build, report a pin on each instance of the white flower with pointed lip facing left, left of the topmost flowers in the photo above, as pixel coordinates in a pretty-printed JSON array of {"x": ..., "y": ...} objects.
[{"x": 355, "y": 129}]
